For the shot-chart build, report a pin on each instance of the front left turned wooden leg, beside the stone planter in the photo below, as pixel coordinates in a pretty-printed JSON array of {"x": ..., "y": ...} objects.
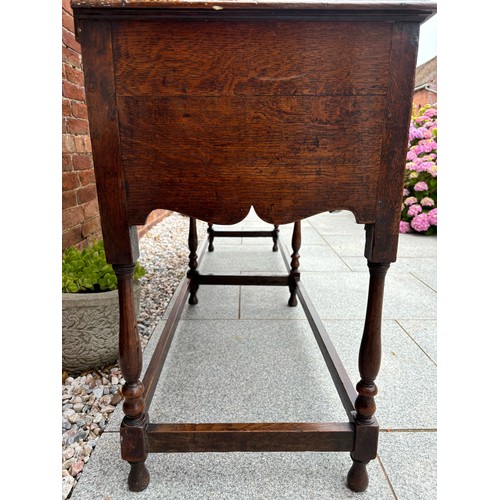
[{"x": 133, "y": 427}]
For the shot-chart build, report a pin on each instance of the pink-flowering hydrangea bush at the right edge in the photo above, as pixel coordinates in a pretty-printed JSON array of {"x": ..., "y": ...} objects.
[{"x": 419, "y": 208}]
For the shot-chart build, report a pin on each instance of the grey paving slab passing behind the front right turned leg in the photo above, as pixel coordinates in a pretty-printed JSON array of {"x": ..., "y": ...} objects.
[{"x": 407, "y": 382}]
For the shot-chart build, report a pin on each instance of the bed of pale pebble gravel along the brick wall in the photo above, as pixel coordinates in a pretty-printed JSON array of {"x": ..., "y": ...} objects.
[{"x": 89, "y": 398}]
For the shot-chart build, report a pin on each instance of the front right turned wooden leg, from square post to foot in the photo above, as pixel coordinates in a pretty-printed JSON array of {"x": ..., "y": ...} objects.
[{"x": 365, "y": 446}]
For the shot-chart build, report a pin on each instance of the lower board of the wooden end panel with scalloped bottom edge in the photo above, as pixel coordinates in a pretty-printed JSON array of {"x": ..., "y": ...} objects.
[{"x": 289, "y": 157}]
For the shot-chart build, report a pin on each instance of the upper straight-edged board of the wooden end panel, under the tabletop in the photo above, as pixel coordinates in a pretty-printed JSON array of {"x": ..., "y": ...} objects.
[{"x": 261, "y": 57}]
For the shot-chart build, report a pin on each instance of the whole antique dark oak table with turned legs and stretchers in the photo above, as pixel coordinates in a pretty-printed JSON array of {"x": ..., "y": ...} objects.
[{"x": 317, "y": 134}]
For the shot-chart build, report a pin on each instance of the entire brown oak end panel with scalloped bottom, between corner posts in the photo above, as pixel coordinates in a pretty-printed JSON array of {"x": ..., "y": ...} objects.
[{"x": 272, "y": 114}]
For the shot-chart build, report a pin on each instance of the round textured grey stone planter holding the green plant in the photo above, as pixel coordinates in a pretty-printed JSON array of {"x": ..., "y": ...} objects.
[{"x": 90, "y": 329}]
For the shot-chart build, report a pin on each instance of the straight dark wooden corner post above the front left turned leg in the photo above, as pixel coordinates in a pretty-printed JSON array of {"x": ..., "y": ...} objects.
[{"x": 120, "y": 241}]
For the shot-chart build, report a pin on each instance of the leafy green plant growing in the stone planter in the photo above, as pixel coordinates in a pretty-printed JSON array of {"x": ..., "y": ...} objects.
[{"x": 88, "y": 271}]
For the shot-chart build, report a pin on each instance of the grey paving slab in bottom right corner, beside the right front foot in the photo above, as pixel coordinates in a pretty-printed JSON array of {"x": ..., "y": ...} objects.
[{"x": 410, "y": 461}]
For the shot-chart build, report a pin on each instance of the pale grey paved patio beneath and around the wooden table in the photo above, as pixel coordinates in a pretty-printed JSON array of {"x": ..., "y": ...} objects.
[{"x": 243, "y": 355}]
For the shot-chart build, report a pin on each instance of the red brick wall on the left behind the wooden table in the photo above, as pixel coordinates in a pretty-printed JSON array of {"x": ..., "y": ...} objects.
[{"x": 80, "y": 217}]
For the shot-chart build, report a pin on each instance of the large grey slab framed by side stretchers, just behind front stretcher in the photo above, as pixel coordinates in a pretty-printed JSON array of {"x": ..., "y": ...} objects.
[{"x": 245, "y": 371}]
